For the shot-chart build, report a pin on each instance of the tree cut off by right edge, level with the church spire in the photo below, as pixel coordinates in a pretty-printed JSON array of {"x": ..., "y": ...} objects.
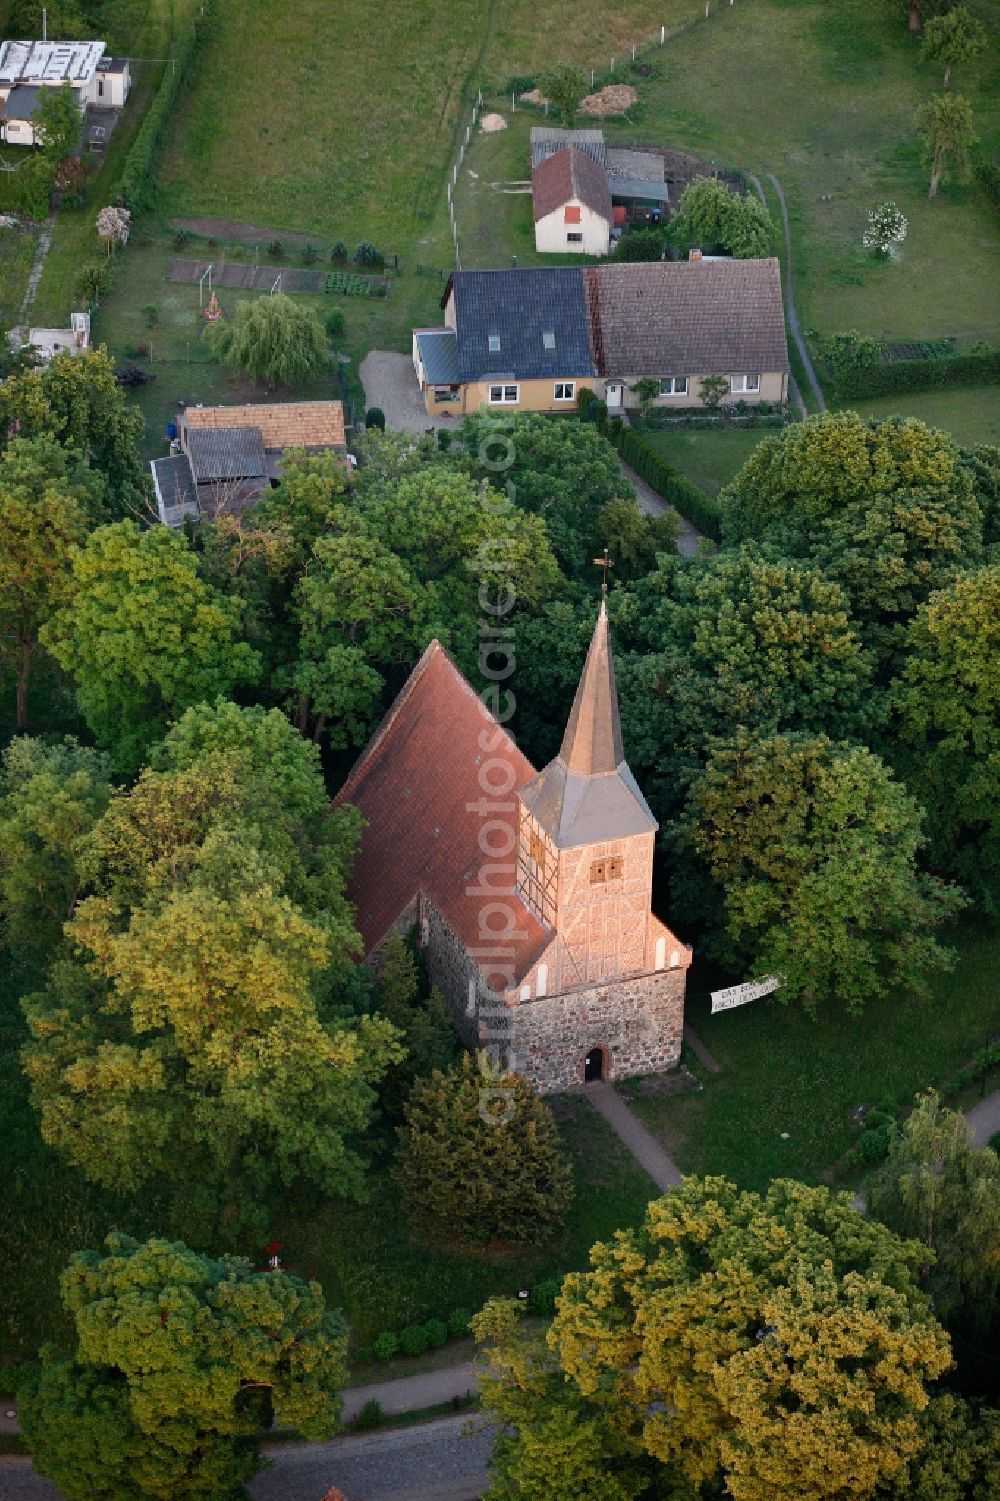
[{"x": 948, "y": 706}]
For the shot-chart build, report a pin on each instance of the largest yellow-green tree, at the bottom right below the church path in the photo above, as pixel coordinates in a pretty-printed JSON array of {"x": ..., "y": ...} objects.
[{"x": 771, "y": 1346}]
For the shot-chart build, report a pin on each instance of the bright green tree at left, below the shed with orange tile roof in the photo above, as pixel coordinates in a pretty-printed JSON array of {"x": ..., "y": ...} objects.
[{"x": 143, "y": 637}]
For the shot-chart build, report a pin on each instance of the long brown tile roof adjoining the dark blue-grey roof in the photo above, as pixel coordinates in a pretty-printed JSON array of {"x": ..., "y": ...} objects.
[{"x": 687, "y": 317}]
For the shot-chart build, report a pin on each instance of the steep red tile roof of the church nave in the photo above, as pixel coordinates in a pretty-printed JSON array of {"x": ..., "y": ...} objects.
[{"x": 415, "y": 786}]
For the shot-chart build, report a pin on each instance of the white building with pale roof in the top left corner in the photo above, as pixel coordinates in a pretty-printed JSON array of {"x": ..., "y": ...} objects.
[{"x": 26, "y": 68}]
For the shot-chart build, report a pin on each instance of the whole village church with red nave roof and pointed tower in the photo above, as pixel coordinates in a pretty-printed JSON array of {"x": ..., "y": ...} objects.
[{"x": 531, "y": 891}]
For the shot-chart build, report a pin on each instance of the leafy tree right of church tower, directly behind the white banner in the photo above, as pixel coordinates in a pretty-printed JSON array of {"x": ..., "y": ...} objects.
[{"x": 813, "y": 847}]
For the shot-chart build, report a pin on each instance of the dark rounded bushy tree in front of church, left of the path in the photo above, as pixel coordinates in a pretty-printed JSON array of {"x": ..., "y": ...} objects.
[{"x": 460, "y": 1128}]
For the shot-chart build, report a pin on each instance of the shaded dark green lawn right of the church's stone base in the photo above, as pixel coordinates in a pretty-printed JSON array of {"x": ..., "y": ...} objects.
[{"x": 783, "y": 1072}]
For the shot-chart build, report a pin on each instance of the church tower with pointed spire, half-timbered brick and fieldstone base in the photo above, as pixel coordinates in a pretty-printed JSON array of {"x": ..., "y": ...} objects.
[{"x": 586, "y": 840}]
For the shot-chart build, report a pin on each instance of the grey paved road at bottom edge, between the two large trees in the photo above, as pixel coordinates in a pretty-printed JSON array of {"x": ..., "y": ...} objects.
[{"x": 444, "y": 1461}]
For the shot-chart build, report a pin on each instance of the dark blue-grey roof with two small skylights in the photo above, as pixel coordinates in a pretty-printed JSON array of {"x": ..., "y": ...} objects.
[{"x": 519, "y": 307}]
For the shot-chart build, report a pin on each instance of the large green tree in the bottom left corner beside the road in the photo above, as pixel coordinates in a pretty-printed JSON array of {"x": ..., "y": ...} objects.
[{"x": 178, "y": 1362}]
